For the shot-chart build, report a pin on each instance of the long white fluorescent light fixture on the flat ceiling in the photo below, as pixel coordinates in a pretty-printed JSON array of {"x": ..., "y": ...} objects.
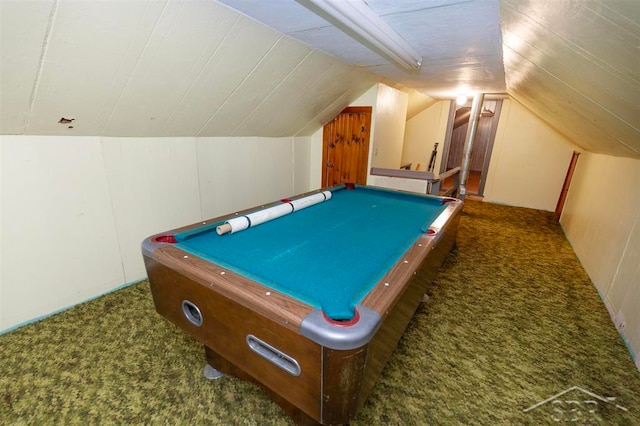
[{"x": 360, "y": 22}]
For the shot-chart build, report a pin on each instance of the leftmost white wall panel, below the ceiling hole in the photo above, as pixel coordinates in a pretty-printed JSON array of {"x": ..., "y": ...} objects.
[{"x": 58, "y": 231}]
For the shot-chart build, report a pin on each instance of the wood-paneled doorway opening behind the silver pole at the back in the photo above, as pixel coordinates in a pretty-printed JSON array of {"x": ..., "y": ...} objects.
[{"x": 482, "y": 147}]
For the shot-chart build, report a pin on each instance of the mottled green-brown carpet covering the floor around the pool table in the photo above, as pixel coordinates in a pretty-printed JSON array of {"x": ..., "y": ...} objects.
[{"x": 511, "y": 321}]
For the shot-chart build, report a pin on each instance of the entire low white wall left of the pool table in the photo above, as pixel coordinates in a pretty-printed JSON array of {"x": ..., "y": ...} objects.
[{"x": 75, "y": 209}]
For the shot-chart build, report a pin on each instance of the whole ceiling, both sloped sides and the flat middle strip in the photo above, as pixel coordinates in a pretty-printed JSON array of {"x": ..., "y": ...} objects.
[{"x": 207, "y": 68}]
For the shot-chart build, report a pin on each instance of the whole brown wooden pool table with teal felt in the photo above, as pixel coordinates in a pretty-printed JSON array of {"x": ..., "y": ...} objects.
[{"x": 307, "y": 296}]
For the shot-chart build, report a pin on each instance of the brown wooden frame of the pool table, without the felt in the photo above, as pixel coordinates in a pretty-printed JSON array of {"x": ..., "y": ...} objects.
[{"x": 332, "y": 384}]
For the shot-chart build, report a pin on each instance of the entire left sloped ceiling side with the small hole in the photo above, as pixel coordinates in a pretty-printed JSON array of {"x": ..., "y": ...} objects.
[{"x": 161, "y": 68}]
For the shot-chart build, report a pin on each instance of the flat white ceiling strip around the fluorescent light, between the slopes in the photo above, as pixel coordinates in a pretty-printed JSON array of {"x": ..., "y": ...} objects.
[{"x": 452, "y": 36}]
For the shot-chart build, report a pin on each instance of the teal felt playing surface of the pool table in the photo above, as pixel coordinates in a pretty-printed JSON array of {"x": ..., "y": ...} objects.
[{"x": 328, "y": 255}]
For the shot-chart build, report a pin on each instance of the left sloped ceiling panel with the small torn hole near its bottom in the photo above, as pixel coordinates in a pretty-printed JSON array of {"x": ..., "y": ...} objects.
[{"x": 81, "y": 56}]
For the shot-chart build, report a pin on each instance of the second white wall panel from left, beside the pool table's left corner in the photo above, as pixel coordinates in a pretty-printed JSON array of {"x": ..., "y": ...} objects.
[{"x": 153, "y": 187}]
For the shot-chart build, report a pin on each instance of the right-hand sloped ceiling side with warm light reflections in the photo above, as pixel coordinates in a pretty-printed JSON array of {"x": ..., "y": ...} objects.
[{"x": 576, "y": 65}]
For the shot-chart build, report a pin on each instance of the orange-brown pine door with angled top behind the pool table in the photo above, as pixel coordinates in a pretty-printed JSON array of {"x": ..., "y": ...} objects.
[{"x": 345, "y": 147}]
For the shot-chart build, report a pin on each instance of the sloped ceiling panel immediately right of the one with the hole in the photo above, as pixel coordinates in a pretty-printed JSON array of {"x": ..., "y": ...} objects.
[{"x": 164, "y": 65}]
